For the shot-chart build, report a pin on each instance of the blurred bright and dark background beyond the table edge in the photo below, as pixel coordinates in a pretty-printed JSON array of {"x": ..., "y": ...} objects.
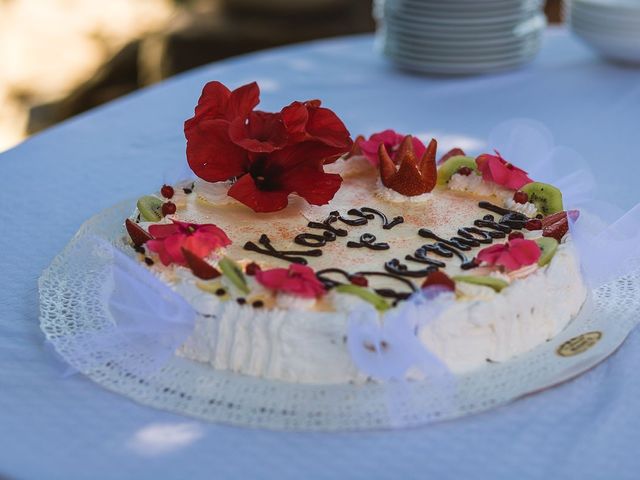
[{"x": 59, "y": 58}]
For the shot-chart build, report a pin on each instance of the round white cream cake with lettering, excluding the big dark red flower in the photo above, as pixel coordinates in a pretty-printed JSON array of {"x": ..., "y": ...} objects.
[{"x": 298, "y": 332}]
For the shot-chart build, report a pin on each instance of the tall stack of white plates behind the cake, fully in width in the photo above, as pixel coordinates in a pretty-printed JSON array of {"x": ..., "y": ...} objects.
[{"x": 458, "y": 37}]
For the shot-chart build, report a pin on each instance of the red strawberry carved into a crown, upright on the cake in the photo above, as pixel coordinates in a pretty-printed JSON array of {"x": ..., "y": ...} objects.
[{"x": 413, "y": 177}]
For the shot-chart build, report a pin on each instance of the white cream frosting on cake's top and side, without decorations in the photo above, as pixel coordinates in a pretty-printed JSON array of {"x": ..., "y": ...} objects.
[{"x": 300, "y": 340}]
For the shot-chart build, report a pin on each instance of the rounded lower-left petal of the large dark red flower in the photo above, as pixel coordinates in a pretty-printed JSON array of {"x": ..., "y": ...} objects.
[{"x": 211, "y": 153}]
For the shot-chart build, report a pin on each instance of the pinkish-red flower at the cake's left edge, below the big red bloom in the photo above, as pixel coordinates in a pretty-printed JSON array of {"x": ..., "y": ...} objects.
[{"x": 169, "y": 240}]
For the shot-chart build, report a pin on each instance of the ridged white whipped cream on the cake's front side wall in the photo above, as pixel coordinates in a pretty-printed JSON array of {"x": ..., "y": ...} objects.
[{"x": 310, "y": 347}]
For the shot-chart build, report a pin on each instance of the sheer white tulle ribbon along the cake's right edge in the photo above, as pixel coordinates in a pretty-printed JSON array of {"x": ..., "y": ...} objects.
[{"x": 606, "y": 238}]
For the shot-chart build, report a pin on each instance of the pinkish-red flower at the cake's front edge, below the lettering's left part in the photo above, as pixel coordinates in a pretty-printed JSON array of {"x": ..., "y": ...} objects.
[{"x": 297, "y": 280}]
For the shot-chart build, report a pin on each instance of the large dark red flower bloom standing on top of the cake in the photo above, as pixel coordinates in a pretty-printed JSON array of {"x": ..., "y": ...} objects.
[{"x": 268, "y": 155}]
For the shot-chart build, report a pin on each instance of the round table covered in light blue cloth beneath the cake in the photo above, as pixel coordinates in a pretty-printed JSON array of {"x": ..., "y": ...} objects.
[{"x": 55, "y": 426}]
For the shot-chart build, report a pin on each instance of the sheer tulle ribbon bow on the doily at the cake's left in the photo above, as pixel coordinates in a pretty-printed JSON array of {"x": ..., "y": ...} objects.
[{"x": 143, "y": 321}]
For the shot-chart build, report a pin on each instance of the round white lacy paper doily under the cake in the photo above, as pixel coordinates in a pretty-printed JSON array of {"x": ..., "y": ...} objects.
[{"x": 70, "y": 310}]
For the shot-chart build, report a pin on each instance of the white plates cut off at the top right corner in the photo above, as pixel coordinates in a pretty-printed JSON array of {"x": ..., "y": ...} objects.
[{"x": 612, "y": 27}]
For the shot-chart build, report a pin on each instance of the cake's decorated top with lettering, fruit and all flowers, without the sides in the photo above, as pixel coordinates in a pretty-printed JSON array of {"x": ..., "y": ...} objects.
[{"x": 287, "y": 205}]
